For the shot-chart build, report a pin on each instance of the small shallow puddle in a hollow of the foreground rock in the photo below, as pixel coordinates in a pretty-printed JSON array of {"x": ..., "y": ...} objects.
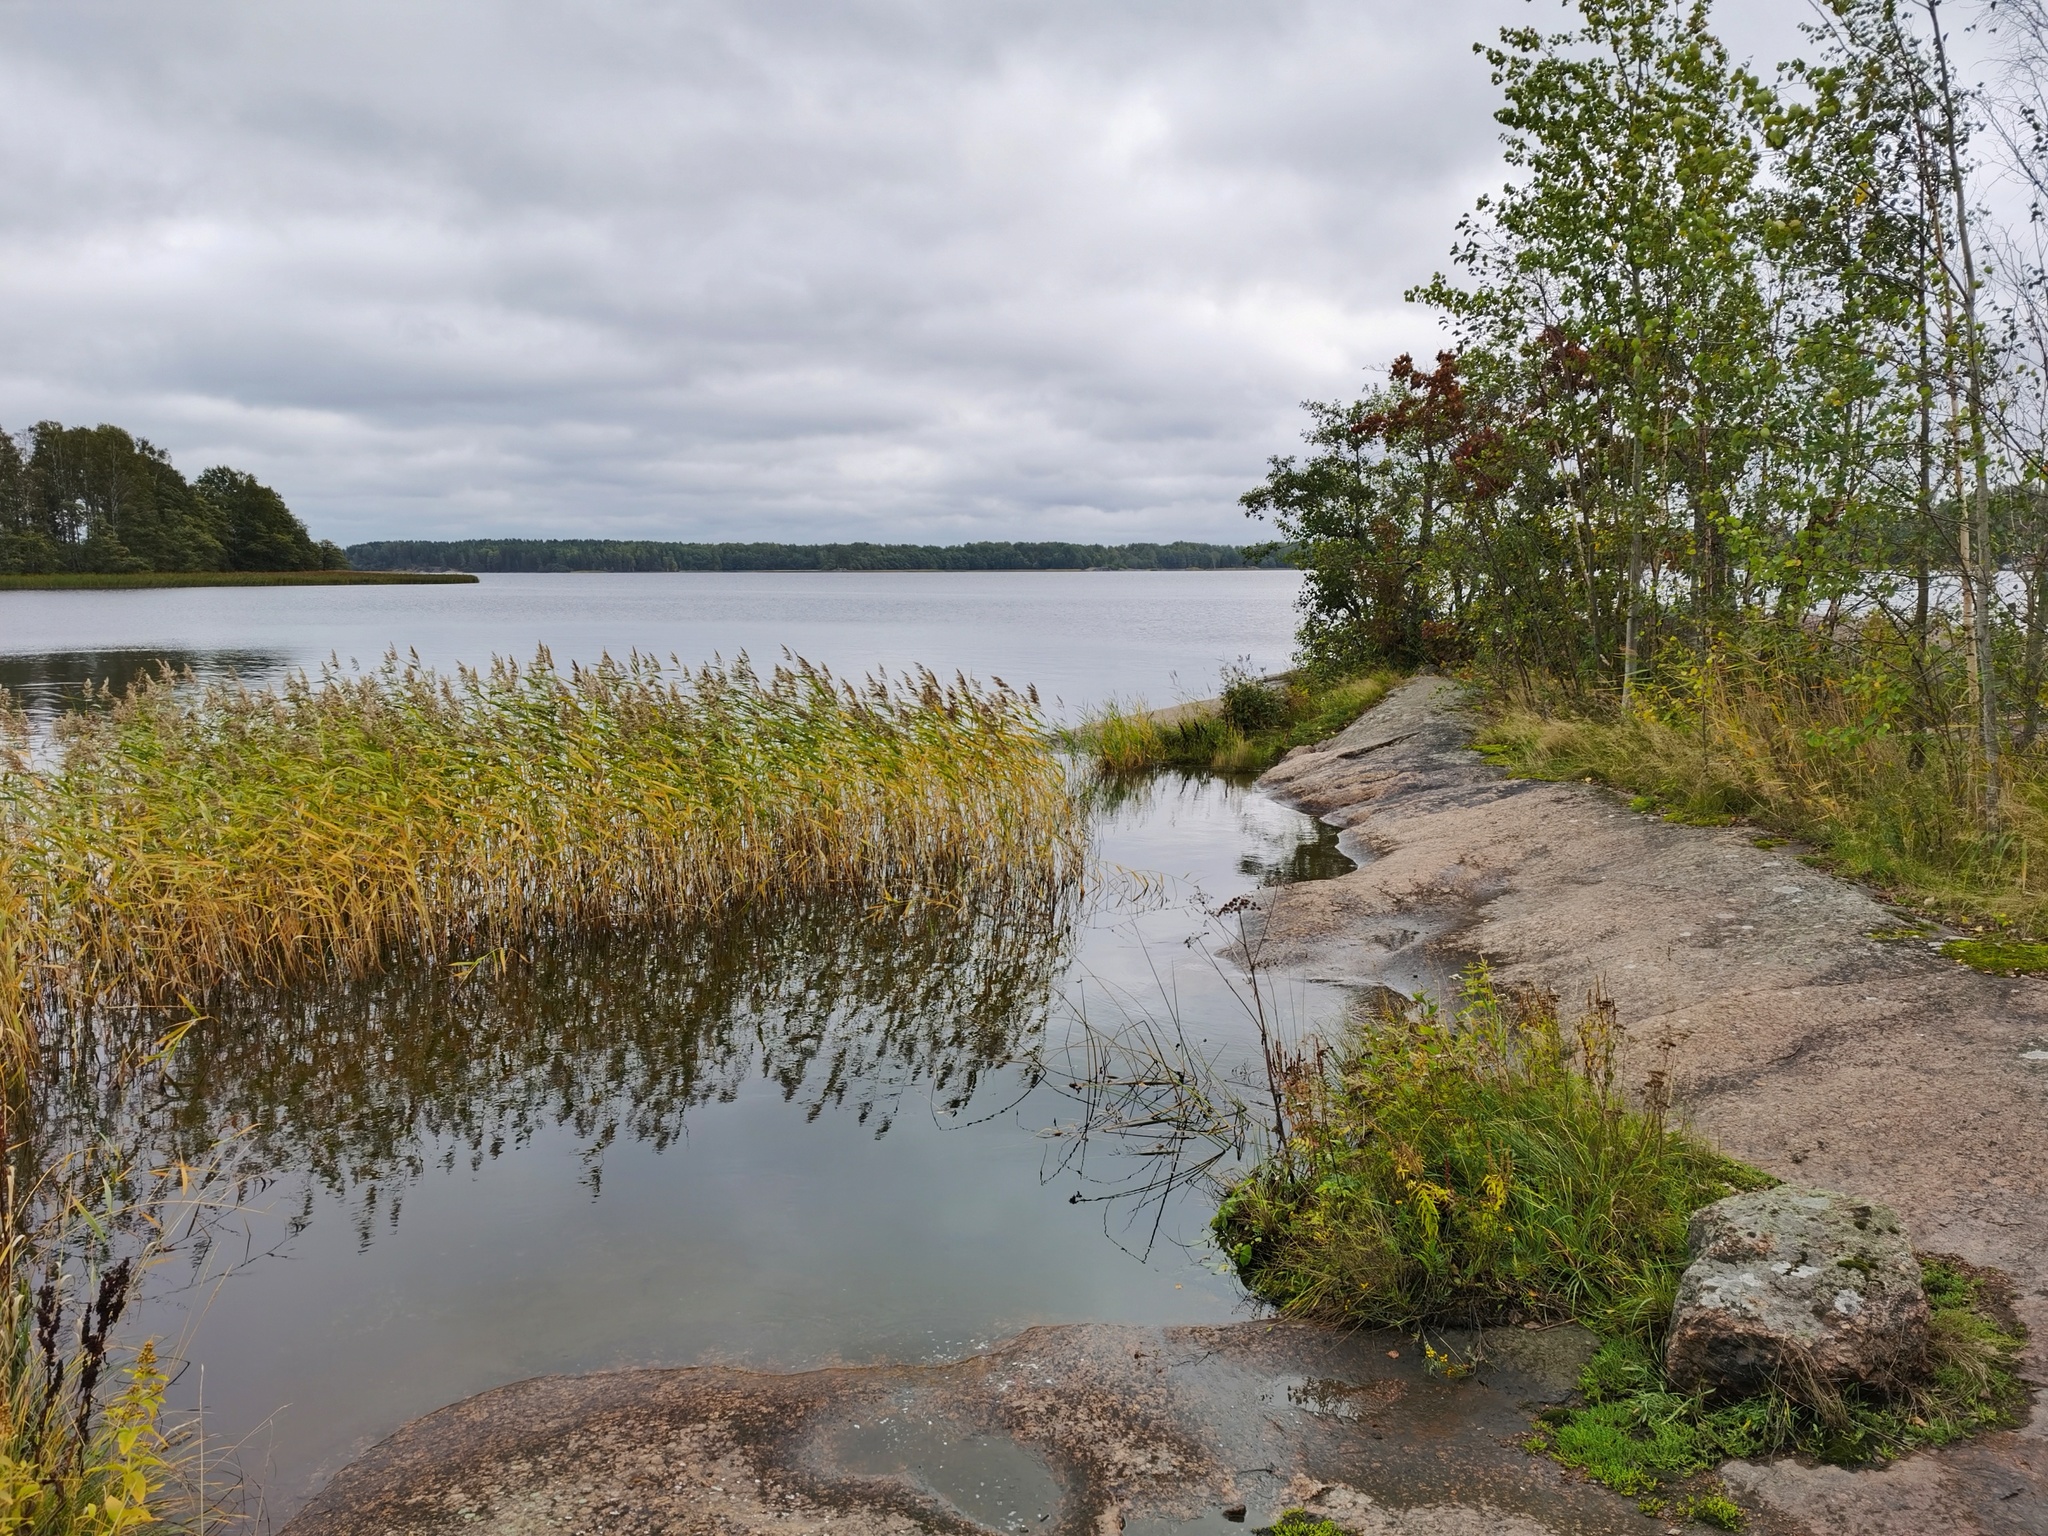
[{"x": 988, "y": 1478}]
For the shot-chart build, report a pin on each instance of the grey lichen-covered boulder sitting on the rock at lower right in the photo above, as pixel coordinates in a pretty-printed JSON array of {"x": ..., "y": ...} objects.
[{"x": 1801, "y": 1289}]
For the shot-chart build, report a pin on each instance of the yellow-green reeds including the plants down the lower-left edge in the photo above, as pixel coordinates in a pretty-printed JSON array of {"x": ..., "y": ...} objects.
[{"x": 181, "y": 841}]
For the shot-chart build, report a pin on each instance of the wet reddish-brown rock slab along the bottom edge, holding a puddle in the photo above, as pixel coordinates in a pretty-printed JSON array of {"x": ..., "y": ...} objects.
[{"x": 1066, "y": 1431}]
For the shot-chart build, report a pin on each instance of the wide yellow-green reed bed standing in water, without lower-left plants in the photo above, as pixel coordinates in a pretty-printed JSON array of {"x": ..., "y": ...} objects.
[{"x": 187, "y": 841}]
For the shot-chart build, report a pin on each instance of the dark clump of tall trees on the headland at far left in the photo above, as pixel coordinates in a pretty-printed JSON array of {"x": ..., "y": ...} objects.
[{"x": 93, "y": 499}]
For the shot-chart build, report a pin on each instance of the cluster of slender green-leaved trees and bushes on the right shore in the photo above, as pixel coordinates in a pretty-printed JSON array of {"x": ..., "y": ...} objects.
[{"x": 1746, "y": 392}]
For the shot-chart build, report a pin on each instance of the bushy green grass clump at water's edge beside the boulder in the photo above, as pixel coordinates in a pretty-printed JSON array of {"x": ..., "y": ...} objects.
[{"x": 1471, "y": 1170}]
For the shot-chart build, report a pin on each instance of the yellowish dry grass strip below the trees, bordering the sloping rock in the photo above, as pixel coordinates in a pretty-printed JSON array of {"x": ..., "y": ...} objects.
[{"x": 1830, "y": 761}]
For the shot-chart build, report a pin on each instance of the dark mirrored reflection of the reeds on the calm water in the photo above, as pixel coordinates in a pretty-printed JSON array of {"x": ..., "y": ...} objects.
[{"x": 361, "y": 1086}]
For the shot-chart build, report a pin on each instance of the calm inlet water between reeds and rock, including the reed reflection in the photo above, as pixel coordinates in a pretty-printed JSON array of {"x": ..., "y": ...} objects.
[{"x": 800, "y": 1138}]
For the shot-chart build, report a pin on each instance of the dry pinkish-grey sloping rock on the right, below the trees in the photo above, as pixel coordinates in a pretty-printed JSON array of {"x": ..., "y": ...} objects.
[{"x": 1795, "y": 1037}]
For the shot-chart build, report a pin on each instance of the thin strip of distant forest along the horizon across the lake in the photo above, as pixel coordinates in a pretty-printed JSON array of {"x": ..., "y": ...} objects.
[{"x": 654, "y": 556}]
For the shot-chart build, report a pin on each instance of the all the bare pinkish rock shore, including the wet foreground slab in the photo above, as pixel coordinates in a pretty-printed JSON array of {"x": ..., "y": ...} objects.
[{"x": 1793, "y": 1037}]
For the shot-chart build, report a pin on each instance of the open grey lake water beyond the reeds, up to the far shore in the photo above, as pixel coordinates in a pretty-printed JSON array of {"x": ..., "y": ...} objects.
[{"x": 1076, "y": 636}]
